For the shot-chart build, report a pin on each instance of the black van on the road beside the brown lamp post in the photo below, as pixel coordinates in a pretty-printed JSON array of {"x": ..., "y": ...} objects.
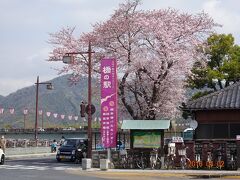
[{"x": 73, "y": 149}]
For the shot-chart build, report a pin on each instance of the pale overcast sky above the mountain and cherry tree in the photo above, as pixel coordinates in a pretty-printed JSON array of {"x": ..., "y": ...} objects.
[{"x": 25, "y": 26}]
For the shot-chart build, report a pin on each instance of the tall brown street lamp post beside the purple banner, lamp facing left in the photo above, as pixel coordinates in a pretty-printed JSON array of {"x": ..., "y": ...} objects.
[{"x": 68, "y": 59}]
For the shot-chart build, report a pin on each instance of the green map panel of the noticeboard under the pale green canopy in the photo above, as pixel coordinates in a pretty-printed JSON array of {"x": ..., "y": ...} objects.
[{"x": 146, "y": 139}]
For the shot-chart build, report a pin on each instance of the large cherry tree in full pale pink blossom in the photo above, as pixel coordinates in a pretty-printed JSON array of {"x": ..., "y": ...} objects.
[{"x": 155, "y": 51}]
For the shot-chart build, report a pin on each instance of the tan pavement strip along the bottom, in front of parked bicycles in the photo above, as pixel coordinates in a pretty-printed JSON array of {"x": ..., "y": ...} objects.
[{"x": 156, "y": 174}]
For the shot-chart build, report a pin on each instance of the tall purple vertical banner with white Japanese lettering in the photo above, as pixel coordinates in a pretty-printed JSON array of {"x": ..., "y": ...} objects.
[{"x": 108, "y": 102}]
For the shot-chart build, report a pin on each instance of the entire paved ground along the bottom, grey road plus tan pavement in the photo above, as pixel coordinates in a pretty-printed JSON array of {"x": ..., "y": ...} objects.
[{"x": 47, "y": 168}]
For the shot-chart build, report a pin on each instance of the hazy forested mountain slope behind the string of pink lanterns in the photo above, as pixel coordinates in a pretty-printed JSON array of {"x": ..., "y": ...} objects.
[{"x": 63, "y": 99}]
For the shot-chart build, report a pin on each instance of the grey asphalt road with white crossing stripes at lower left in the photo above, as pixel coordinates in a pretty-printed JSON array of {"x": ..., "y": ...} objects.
[{"x": 40, "y": 169}]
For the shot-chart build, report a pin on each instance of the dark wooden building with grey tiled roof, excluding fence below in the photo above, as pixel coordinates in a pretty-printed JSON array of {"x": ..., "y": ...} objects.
[{"x": 217, "y": 114}]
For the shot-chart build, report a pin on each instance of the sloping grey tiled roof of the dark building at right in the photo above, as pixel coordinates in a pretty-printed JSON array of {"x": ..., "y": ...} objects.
[{"x": 227, "y": 98}]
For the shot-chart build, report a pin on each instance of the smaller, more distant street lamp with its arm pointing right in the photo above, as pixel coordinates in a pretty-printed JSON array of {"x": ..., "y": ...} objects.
[{"x": 49, "y": 87}]
